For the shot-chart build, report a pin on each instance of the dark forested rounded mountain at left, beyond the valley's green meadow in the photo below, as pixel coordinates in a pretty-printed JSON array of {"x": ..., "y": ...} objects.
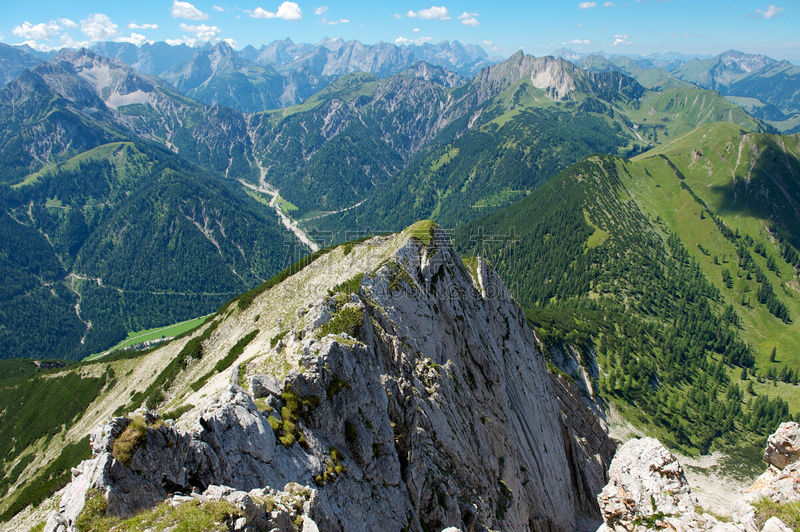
[{"x": 124, "y": 237}]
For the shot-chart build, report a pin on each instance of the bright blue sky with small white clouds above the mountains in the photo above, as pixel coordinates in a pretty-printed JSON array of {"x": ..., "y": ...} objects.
[{"x": 502, "y": 27}]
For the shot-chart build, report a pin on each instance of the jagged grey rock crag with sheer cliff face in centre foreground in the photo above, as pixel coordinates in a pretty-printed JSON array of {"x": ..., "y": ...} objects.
[{"x": 432, "y": 408}]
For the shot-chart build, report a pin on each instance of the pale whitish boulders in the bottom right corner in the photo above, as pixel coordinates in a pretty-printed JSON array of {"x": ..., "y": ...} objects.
[{"x": 648, "y": 490}]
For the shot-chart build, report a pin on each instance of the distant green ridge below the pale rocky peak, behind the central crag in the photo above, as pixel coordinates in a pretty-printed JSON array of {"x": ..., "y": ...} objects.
[{"x": 522, "y": 137}]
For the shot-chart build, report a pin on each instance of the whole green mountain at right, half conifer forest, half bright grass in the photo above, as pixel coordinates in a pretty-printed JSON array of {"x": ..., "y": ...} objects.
[{"x": 628, "y": 260}]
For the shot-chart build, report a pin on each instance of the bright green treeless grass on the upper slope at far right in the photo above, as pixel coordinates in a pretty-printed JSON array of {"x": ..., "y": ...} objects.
[{"x": 710, "y": 177}]
